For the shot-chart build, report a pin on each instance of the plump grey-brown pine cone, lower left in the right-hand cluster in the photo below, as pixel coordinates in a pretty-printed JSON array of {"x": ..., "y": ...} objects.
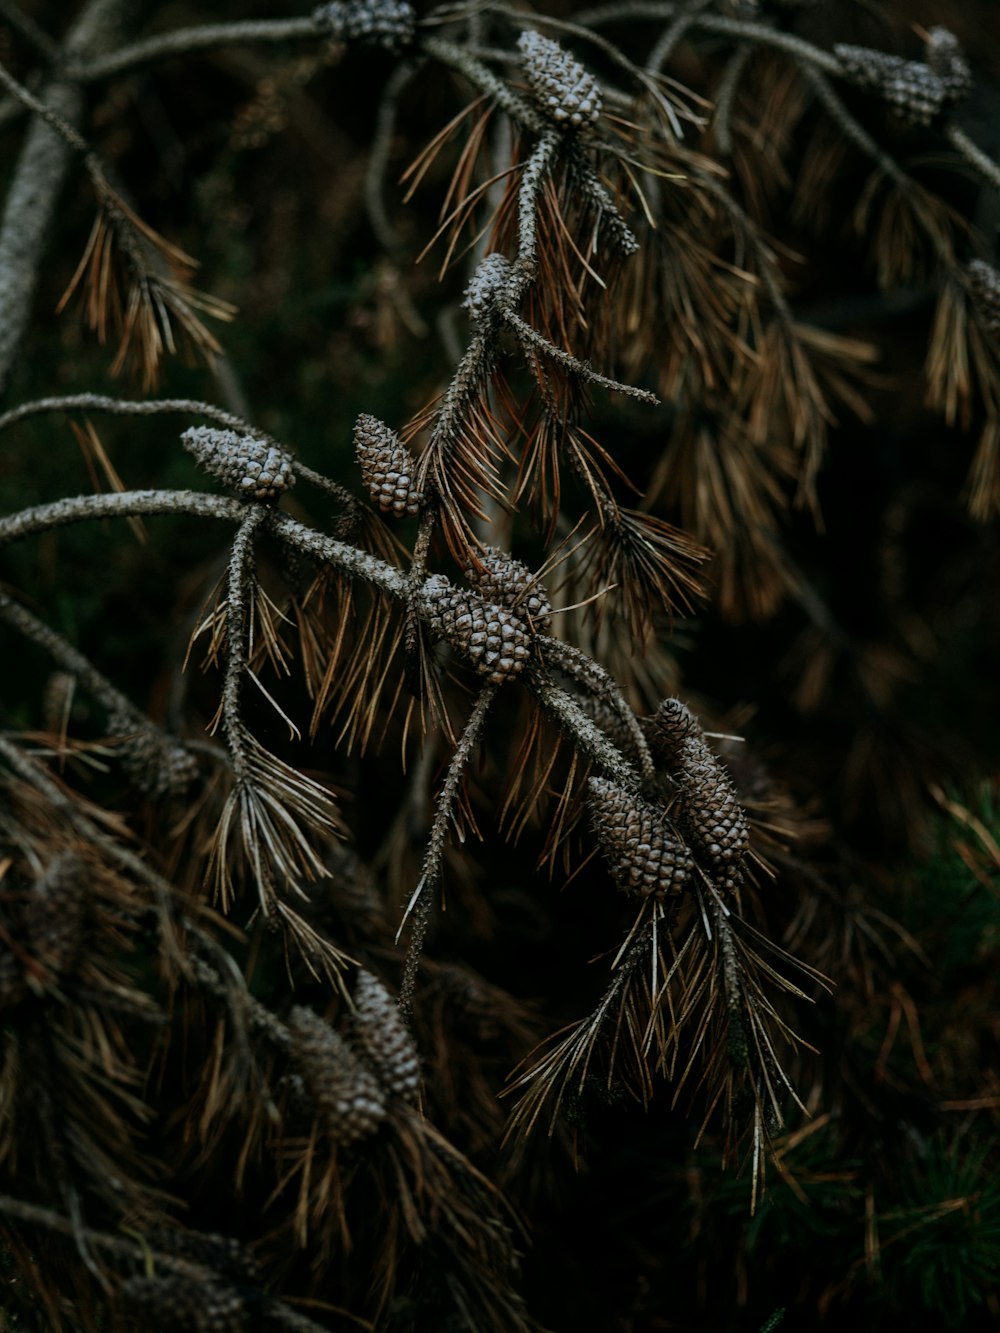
[{"x": 645, "y": 856}]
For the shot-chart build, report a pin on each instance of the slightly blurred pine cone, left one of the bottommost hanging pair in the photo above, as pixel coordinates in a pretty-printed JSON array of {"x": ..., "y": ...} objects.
[{"x": 343, "y": 1090}]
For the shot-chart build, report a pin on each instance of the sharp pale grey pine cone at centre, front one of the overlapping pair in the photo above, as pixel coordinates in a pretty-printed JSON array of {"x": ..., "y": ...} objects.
[{"x": 494, "y": 638}]
